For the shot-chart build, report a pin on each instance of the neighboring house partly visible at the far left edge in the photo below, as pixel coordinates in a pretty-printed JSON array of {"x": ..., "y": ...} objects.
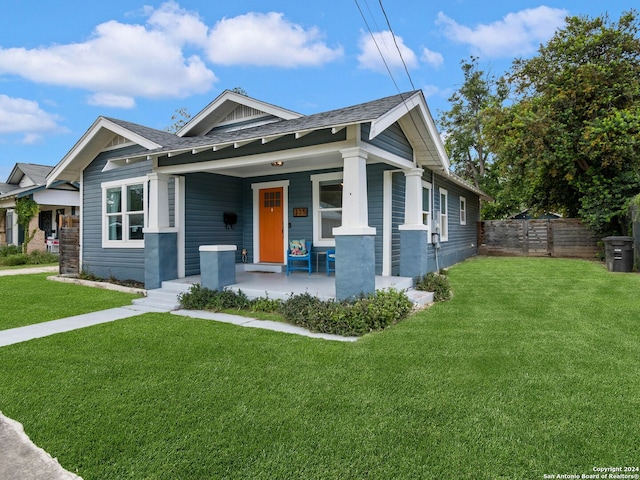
[{"x": 29, "y": 180}]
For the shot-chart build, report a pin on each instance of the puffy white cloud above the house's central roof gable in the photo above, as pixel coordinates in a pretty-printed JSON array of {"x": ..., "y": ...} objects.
[{"x": 267, "y": 40}]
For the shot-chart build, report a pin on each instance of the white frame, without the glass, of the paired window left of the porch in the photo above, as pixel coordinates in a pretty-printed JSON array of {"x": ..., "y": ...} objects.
[{"x": 123, "y": 184}]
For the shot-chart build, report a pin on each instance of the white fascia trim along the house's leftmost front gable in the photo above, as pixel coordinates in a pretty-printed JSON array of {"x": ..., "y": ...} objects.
[{"x": 88, "y": 147}]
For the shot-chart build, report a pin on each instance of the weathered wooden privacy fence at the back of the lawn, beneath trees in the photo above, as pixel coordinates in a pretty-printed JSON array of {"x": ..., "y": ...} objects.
[{"x": 564, "y": 237}]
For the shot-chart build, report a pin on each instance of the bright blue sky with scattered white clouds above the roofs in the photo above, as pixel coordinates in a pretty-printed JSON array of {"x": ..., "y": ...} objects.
[{"x": 63, "y": 64}]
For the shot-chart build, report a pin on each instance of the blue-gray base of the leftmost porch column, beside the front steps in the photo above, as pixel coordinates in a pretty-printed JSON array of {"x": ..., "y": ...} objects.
[{"x": 160, "y": 258}]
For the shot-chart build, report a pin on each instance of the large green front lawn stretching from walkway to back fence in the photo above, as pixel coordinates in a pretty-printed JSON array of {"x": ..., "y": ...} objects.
[{"x": 532, "y": 368}]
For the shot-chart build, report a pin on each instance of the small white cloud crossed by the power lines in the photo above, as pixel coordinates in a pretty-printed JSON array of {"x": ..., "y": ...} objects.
[{"x": 371, "y": 46}]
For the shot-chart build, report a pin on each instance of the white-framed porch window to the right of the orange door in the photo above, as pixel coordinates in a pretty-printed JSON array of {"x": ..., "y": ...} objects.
[{"x": 327, "y": 207}]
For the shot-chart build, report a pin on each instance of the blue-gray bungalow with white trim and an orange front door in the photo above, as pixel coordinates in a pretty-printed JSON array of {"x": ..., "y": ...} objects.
[{"x": 370, "y": 180}]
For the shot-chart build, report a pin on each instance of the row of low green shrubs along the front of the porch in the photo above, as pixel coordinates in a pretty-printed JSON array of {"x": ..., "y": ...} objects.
[{"x": 367, "y": 314}]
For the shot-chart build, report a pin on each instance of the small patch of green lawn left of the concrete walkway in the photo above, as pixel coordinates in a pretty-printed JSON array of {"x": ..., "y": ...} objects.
[{"x": 29, "y": 299}]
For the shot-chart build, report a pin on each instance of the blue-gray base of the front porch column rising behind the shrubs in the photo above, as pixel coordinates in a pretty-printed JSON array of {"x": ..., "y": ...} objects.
[{"x": 355, "y": 266}]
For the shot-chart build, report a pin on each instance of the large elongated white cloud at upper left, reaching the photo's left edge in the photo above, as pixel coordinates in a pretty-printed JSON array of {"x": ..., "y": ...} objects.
[{"x": 119, "y": 59}]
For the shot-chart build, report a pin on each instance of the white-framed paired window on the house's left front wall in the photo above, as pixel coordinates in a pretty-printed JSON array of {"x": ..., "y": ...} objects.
[{"x": 124, "y": 213}]
